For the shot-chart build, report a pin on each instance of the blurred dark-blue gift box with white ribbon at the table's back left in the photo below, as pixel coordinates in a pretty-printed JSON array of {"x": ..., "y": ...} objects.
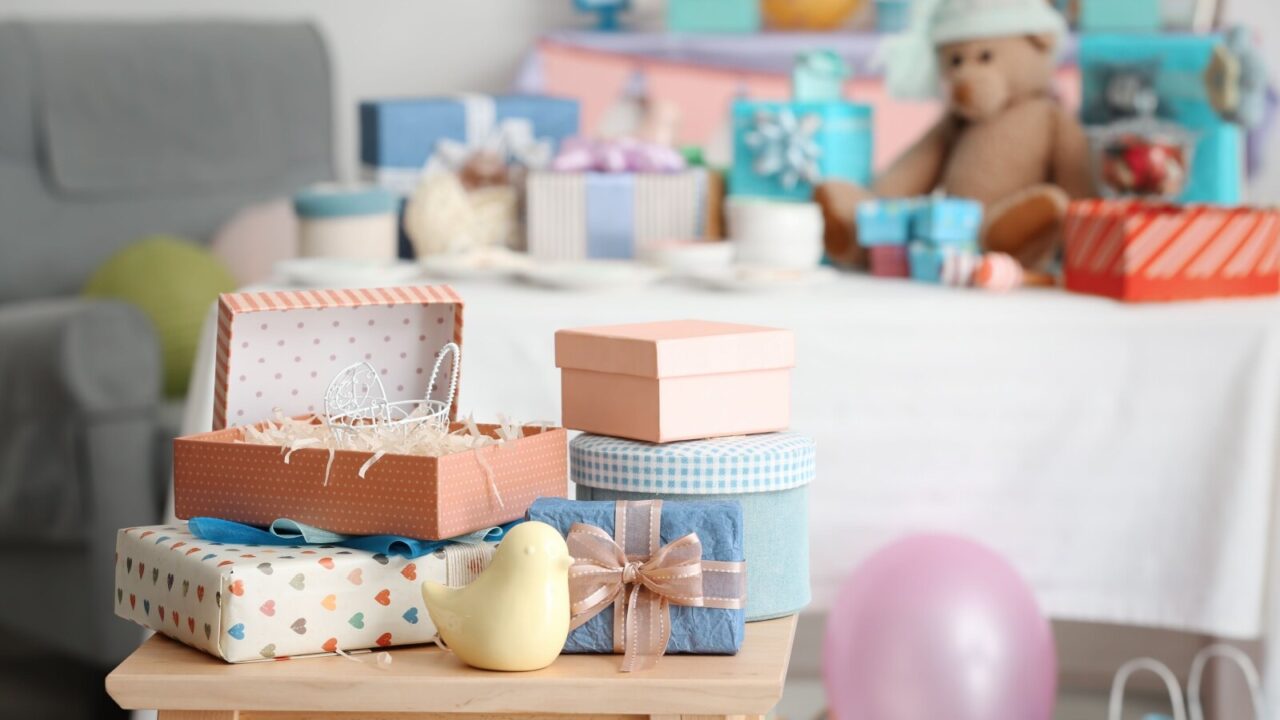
[{"x": 400, "y": 138}]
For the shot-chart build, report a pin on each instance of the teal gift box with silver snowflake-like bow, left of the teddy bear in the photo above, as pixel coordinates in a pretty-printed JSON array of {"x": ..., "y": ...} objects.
[{"x": 783, "y": 149}]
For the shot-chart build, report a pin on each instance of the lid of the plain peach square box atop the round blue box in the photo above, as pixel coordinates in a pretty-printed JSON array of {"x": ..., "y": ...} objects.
[{"x": 675, "y": 349}]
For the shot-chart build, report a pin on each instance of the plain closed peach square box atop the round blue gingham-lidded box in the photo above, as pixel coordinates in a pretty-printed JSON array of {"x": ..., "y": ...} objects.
[{"x": 674, "y": 381}]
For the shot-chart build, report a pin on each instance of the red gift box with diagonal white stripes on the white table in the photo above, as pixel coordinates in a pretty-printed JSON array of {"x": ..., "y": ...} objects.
[{"x": 1140, "y": 252}]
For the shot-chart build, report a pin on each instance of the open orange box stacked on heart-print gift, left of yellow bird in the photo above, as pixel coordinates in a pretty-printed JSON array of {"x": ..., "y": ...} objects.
[{"x": 362, "y": 536}]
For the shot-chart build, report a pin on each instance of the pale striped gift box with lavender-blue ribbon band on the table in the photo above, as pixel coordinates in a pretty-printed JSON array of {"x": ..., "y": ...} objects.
[{"x": 611, "y": 216}]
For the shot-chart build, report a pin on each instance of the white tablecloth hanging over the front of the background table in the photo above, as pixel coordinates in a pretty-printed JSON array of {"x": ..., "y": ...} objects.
[{"x": 1122, "y": 458}]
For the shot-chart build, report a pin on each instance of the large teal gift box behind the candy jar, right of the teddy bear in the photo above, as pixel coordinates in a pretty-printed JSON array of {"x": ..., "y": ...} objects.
[{"x": 1176, "y": 66}]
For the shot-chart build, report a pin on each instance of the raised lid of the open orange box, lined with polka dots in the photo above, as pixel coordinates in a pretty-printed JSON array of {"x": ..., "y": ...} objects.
[{"x": 281, "y": 350}]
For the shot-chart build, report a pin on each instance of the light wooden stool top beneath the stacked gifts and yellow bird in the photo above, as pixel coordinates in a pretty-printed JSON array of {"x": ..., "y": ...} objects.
[{"x": 426, "y": 683}]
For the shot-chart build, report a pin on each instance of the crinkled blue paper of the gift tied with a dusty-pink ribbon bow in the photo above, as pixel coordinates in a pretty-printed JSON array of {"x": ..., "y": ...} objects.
[{"x": 700, "y": 631}]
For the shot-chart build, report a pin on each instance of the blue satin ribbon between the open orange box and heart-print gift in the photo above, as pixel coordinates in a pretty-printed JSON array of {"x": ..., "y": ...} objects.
[{"x": 286, "y": 532}]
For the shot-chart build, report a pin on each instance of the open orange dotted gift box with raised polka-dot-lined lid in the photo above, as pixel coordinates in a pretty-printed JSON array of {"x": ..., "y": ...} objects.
[{"x": 277, "y": 354}]
